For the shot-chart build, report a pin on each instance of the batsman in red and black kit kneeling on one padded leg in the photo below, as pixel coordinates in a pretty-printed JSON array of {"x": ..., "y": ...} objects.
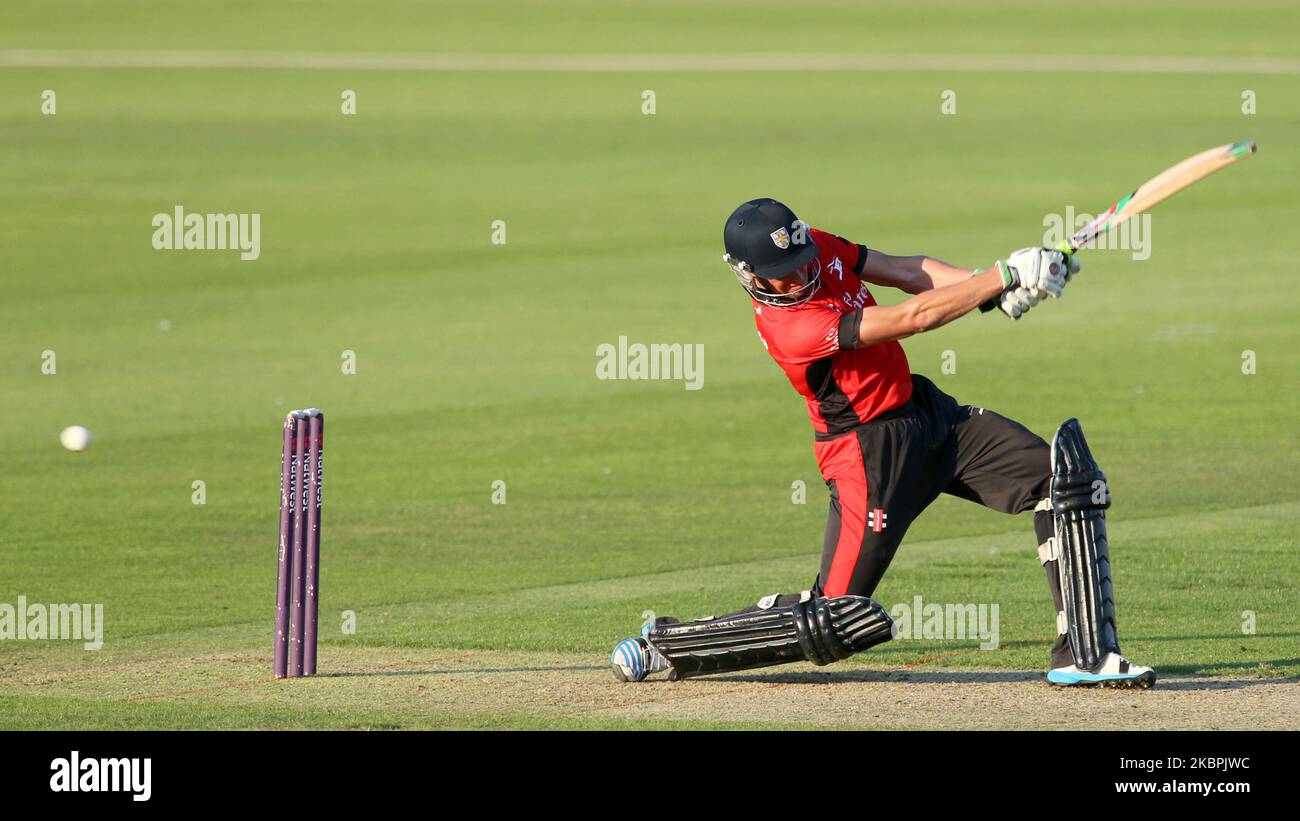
[{"x": 887, "y": 444}]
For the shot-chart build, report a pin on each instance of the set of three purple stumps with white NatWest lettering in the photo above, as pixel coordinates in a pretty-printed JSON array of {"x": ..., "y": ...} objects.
[{"x": 298, "y": 570}]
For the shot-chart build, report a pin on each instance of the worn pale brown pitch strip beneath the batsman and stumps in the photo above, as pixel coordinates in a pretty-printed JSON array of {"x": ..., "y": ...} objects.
[{"x": 389, "y": 688}]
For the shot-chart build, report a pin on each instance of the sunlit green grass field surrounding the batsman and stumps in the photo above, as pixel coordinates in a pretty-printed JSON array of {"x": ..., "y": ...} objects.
[{"x": 476, "y": 363}]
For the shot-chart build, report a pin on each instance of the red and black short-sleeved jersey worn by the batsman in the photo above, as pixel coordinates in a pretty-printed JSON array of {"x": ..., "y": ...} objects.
[{"x": 817, "y": 346}]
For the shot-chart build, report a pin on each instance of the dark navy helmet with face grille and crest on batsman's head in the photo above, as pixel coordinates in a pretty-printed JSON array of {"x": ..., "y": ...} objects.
[{"x": 766, "y": 241}]
